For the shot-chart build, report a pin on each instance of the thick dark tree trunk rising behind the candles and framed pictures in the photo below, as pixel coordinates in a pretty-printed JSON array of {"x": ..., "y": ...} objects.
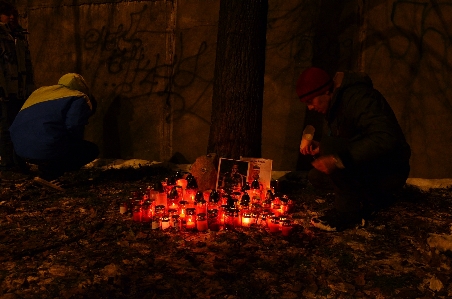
[{"x": 236, "y": 128}]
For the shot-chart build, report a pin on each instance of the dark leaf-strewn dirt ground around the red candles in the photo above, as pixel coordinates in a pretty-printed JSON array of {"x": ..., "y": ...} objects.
[{"x": 77, "y": 245}]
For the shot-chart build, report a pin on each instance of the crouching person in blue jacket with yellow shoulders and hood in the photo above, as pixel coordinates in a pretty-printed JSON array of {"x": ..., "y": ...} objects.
[{"x": 48, "y": 130}]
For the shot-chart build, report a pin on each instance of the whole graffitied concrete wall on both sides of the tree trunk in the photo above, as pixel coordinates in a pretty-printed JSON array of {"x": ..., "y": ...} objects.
[{"x": 151, "y": 63}]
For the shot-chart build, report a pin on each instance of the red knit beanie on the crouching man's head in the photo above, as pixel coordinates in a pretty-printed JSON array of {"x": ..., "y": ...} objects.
[{"x": 312, "y": 83}]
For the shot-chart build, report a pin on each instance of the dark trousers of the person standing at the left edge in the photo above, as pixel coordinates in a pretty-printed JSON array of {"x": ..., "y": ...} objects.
[{"x": 8, "y": 111}]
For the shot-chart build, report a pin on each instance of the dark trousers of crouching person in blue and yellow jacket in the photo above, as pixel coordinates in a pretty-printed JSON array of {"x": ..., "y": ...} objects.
[{"x": 81, "y": 153}]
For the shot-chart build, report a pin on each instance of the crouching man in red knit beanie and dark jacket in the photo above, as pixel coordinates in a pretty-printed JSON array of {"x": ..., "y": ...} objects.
[{"x": 364, "y": 157}]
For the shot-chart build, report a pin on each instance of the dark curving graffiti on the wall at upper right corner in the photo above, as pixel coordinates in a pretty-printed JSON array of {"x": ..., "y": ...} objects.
[{"x": 414, "y": 52}]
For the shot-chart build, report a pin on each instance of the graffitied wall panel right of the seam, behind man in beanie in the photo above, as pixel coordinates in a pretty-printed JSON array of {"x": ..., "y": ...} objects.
[{"x": 408, "y": 54}]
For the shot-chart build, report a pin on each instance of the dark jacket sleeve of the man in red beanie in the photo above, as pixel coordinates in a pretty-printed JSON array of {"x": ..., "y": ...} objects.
[{"x": 377, "y": 130}]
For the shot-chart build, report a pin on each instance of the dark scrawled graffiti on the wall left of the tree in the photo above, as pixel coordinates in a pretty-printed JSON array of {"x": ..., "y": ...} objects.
[{"x": 133, "y": 64}]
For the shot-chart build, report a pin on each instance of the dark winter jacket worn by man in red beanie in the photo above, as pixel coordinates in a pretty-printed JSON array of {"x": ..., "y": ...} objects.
[{"x": 360, "y": 114}]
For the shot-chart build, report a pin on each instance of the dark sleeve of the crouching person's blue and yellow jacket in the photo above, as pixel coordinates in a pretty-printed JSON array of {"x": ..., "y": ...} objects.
[{"x": 77, "y": 117}]
